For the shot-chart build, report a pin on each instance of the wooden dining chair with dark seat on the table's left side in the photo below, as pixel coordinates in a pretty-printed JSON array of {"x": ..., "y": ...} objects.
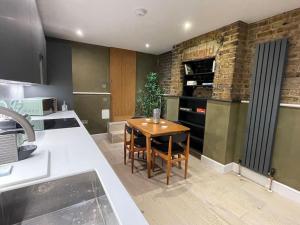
[{"x": 135, "y": 144}]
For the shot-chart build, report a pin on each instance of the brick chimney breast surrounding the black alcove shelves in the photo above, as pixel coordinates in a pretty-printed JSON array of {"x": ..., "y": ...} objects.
[{"x": 227, "y": 47}]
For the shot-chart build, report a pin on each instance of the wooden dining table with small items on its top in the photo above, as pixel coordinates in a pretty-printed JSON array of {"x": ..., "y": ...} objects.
[{"x": 150, "y": 130}]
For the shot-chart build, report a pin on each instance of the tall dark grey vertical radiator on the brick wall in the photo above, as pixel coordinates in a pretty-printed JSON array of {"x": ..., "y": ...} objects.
[{"x": 267, "y": 74}]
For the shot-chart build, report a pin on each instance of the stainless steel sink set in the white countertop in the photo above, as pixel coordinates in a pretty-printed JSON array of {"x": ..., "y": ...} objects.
[{"x": 78, "y": 199}]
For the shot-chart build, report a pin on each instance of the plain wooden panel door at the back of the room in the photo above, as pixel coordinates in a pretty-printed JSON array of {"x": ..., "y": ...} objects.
[{"x": 122, "y": 83}]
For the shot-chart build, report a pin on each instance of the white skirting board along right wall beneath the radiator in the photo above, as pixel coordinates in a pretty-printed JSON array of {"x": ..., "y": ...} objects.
[{"x": 277, "y": 187}]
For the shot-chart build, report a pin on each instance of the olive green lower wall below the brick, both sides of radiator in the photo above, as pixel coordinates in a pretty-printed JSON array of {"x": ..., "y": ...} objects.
[{"x": 225, "y": 135}]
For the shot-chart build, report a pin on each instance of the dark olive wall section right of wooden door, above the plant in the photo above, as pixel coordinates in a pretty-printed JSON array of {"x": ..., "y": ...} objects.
[{"x": 145, "y": 63}]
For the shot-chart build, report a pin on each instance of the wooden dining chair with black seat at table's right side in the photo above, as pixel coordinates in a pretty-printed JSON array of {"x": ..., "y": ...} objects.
[{"x": 172, "y": 152}]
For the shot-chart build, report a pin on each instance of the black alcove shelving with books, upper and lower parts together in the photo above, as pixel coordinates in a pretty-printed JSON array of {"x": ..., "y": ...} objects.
[{"x": 196, "y": 72}]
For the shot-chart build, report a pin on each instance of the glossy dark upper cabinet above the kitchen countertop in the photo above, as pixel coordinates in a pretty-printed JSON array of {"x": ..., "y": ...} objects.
[{"x": 22, "y": 42}]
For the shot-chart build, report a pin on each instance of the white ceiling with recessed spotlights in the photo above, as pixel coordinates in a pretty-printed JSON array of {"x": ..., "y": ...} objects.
[{"x": 114, "y": 22}]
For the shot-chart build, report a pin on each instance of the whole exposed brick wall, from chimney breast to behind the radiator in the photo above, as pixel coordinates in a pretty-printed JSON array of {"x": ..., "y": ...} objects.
[{"x": 234, "y": 57}]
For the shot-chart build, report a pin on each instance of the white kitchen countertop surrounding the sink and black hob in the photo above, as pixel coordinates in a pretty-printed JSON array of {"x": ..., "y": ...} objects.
[{"x": 73, "y": 151}]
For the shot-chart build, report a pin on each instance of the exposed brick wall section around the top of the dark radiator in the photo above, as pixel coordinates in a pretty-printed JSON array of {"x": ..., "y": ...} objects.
[{"x": 279, "y": 26}]
